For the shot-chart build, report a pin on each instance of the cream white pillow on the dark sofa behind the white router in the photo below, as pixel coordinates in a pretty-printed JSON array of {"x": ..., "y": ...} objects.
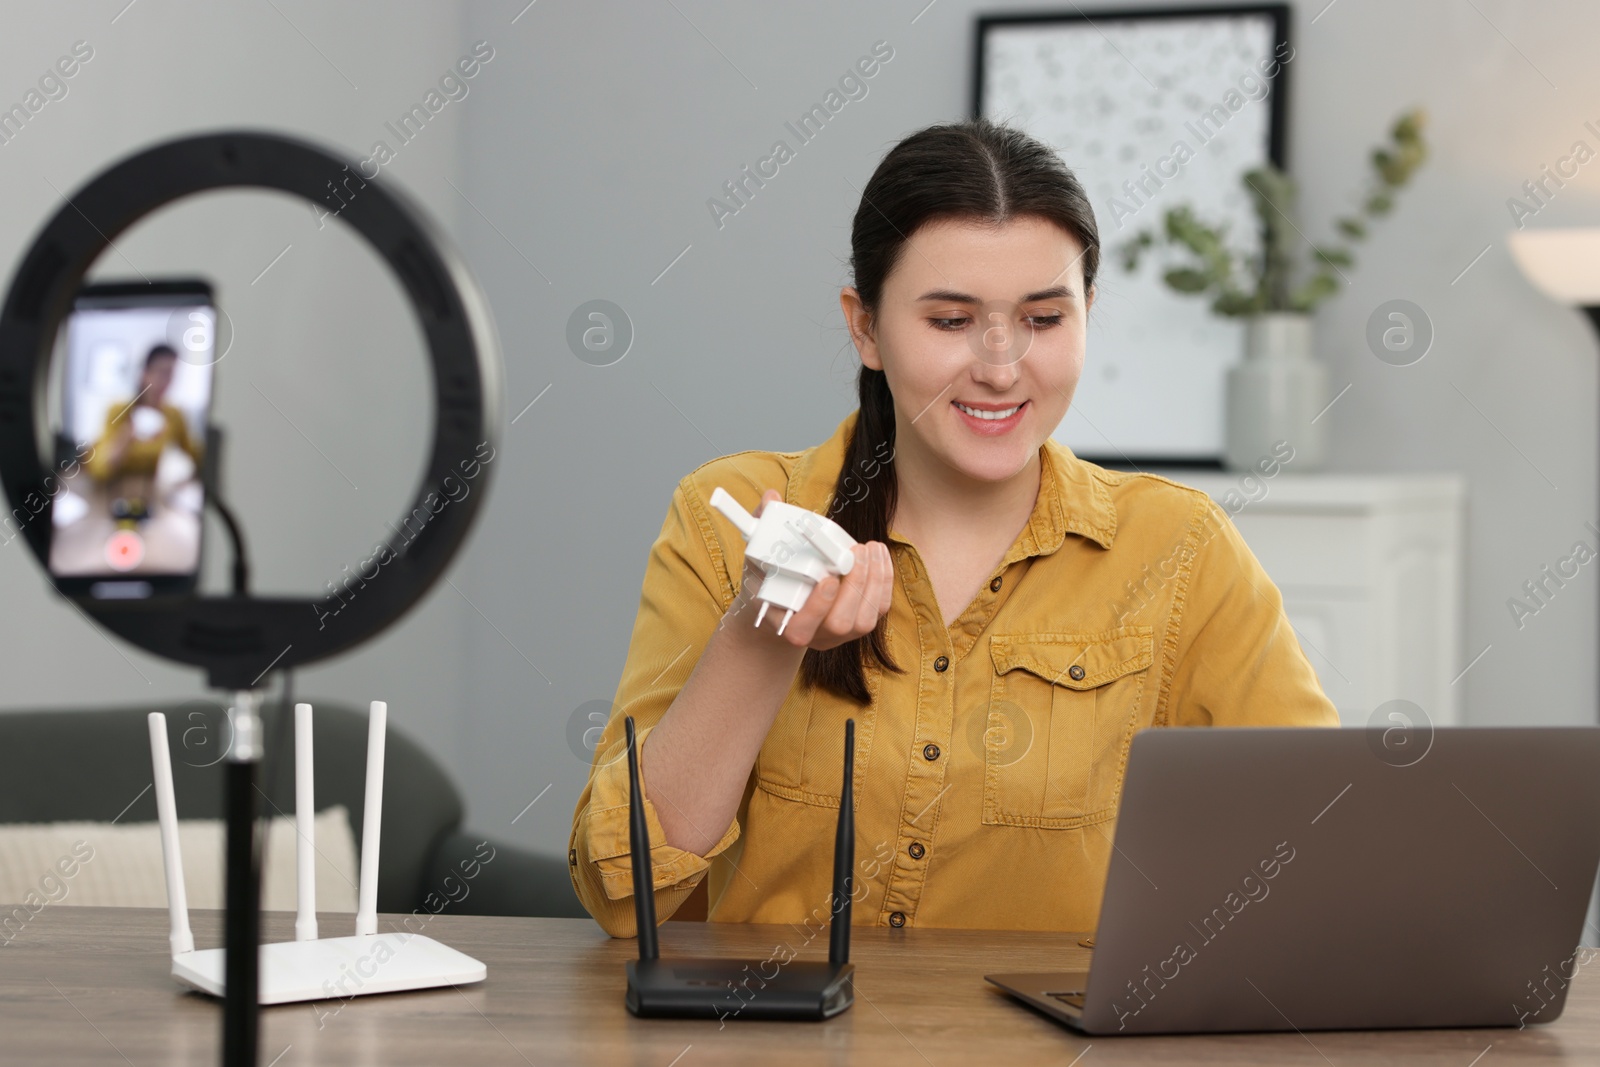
[{"x": 98, "y": 865}]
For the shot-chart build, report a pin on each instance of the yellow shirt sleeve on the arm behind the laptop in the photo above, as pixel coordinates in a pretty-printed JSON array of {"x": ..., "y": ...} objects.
[{"x": 1238, "y": 660}]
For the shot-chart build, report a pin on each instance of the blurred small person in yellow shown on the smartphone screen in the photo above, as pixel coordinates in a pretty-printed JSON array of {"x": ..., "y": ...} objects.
[{"x": 137, "y": 434}]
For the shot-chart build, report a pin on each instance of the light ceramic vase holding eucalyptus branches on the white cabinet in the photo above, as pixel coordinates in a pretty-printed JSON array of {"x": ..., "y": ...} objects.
[{"x": 1274, "y": 394}]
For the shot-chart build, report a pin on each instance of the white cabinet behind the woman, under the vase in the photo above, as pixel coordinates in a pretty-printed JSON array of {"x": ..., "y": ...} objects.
[{"x": 1370, "y": 570}]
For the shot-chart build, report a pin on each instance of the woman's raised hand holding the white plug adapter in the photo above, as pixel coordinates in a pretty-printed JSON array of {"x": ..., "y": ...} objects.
[{"x": 836, "y": 612}]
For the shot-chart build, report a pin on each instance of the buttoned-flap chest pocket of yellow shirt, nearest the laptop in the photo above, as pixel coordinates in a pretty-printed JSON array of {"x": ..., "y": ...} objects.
[{"x": 1063, "y": 709}]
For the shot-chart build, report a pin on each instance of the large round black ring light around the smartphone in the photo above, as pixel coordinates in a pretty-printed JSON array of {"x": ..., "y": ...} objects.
[{"x": 239, "y": 639}]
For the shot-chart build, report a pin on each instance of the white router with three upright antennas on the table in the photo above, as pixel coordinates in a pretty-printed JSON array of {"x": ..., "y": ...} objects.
[{"x": 311, "y": 969}]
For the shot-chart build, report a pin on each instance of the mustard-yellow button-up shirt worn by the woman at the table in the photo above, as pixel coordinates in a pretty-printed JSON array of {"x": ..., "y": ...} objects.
[{"x": 988, "y": 773}]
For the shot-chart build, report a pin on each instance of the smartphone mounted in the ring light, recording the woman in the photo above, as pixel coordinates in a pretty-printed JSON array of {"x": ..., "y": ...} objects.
[{"x": 129, "y": 495}]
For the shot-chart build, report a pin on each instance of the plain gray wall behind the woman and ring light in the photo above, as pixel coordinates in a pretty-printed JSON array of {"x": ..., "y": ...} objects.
[{"x": 590, "y": 148}]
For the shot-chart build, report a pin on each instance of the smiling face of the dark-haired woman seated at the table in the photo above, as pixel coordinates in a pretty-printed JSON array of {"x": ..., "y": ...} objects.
[{"x": 975, "y": 322}]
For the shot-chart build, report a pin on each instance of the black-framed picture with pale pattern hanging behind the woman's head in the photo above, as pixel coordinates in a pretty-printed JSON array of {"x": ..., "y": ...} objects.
[{"x": 1151, "y": 110}]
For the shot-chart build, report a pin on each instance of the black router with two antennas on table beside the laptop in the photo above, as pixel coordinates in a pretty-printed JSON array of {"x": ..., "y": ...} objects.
[{"x": 742, "y": 989}]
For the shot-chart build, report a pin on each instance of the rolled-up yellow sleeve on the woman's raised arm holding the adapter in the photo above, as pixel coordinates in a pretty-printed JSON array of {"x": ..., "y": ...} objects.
[{"x": 682, "y": 604}]
